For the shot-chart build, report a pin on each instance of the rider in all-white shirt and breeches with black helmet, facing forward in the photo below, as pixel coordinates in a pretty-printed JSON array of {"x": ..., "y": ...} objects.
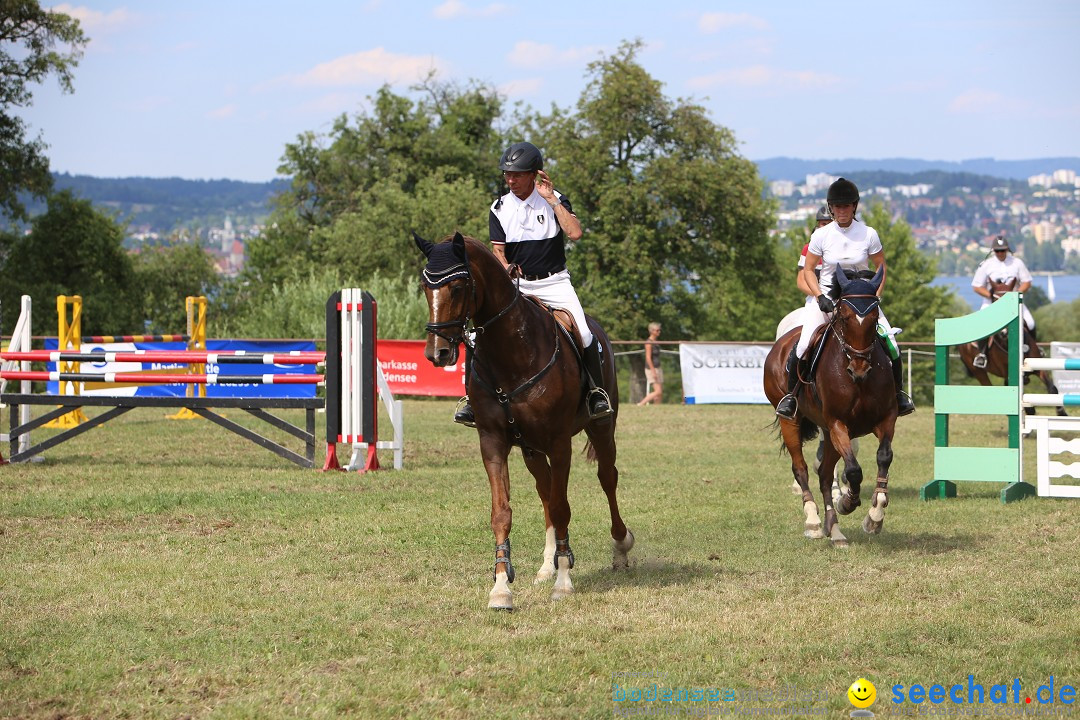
[{"x": 852, "y": 243}]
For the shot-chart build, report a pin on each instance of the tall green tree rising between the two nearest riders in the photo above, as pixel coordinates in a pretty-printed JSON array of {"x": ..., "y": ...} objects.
[{"x": 677, "y": 228}]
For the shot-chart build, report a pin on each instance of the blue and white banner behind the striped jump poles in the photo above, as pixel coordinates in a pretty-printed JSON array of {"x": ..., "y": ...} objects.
[{"x": 180, "y": 390}]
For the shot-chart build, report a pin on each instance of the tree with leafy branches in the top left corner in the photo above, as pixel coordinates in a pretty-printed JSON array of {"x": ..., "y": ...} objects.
[{"x": 34, "y": 44}]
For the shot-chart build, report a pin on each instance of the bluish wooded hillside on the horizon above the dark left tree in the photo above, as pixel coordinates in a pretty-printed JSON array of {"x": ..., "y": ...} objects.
[{"x": 168, "y": 205}]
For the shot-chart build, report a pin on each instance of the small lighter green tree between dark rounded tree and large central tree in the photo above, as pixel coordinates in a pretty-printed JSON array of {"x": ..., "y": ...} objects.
[{"x": 167, "y": 276}]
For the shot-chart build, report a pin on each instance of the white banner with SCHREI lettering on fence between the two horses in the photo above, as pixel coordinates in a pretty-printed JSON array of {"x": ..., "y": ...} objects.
[{"x": 723, "y": 373}]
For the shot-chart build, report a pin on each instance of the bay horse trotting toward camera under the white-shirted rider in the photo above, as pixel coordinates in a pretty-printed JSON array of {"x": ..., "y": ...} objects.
[{"x": 850, "y": 393}]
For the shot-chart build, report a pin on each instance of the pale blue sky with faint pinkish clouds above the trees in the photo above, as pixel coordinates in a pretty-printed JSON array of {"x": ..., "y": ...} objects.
[{"x": 217, "y": 89}]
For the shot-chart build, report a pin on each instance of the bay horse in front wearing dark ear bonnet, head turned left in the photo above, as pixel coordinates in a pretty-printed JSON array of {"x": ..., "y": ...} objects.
[{"x": 526, "y": 389}]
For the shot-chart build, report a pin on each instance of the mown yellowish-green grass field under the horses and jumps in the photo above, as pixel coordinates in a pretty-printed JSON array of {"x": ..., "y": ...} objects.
[{"x": 163, "y": 569}]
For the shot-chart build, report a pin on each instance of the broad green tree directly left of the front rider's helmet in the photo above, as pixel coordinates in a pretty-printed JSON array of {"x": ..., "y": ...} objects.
[{"x": 426, "y": 165}]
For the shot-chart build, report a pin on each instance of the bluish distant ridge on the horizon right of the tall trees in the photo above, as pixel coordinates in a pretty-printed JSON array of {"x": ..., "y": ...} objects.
[{"x": 794, "y": 169}]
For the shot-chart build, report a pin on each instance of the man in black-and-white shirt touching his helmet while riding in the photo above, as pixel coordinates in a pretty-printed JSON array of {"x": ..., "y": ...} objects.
[{"x": 529, "y": 229}]
